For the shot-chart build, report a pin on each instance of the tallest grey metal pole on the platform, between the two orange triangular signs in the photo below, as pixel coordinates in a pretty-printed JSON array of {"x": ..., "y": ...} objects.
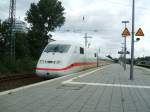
[{"x": 132, "y": 43}]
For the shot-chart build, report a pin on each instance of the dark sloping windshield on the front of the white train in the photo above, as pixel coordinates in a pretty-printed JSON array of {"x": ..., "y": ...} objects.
[{"x": 61, "y": 48}]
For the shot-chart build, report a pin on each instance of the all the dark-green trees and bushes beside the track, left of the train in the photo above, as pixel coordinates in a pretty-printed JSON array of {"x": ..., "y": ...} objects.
[{"x": 42, "y": 17}]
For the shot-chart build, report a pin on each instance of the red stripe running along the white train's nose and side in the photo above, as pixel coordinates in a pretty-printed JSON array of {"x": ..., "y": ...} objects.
[{"x": 68, "y": 67}]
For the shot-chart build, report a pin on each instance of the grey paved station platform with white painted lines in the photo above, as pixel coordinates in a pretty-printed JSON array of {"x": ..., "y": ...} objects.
[{"x": 105, "y": 89}]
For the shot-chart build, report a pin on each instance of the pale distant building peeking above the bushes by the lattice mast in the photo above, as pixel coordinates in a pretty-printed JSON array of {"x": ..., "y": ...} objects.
[{"x": 20, "y": 26}]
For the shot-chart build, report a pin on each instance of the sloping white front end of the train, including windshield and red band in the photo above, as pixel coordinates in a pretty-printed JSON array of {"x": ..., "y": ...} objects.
[{"x": 53, "y": 59}]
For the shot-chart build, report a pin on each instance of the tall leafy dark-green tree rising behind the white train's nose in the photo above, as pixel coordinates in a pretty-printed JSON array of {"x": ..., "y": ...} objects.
[{"x": 45, "y": 16}]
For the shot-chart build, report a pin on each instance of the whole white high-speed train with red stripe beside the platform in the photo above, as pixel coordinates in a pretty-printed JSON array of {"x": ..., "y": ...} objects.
[{"x": 61, "y": 58}]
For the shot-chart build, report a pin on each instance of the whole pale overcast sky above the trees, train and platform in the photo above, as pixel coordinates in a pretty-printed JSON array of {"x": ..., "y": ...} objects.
[{"x": 102, "y": 16}]
